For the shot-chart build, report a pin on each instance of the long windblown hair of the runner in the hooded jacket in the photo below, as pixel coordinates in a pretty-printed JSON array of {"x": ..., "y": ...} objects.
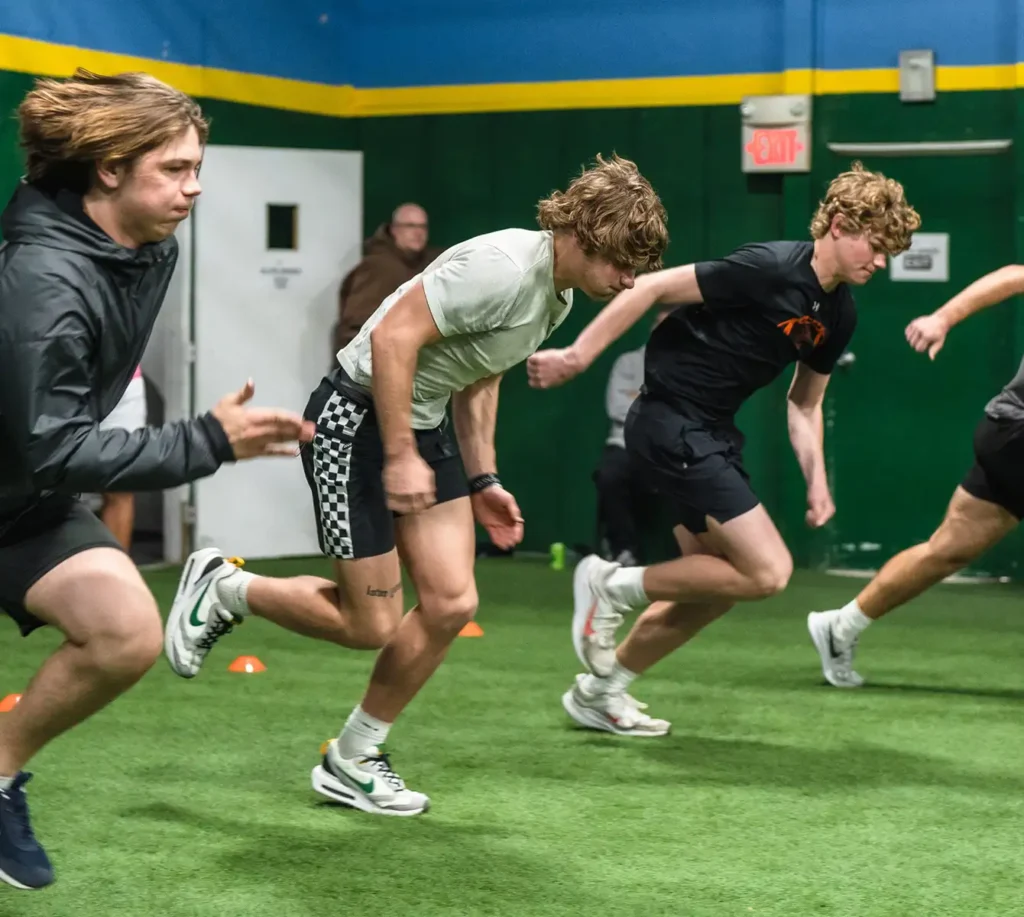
[{"x": 67, "y": 126}]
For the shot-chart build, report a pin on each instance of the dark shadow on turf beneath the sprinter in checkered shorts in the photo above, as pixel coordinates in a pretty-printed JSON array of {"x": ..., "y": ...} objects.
[{"x": 424, "y": 865}]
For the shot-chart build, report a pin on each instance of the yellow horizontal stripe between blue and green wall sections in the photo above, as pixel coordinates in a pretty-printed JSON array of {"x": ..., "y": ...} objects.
[{"x": 31, "y": 57}]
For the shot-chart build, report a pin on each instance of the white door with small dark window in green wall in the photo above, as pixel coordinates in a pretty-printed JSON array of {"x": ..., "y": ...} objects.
[{"x": 275, "y": 233}]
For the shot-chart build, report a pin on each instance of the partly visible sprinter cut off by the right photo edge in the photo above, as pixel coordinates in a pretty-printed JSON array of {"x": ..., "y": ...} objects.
[{"x": 987, "y": 506}]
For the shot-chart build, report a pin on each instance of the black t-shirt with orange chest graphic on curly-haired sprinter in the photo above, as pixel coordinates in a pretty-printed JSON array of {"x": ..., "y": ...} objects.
[{"x": 763, "y": 310}]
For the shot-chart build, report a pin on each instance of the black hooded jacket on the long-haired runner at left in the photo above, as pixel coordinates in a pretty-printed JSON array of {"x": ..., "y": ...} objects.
[{"x": 76, "y": 314}]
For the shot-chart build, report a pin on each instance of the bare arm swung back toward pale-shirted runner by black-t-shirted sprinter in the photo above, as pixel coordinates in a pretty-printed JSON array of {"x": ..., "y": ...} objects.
[{"x": 547, "y": 369}]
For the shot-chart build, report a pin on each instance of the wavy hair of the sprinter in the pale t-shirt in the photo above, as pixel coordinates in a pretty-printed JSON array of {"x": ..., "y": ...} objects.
[{"x": 614, "y": 212}]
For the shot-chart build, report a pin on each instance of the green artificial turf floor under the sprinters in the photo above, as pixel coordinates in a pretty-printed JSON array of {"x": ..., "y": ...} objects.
[{"x": 774, "y": 796}]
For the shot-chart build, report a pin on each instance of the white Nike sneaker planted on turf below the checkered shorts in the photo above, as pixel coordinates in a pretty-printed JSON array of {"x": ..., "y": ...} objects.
[{"x": 367, "y": 783}]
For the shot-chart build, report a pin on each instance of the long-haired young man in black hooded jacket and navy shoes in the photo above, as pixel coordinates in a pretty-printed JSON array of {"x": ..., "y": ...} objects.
[{"x": 89, "y": 252}]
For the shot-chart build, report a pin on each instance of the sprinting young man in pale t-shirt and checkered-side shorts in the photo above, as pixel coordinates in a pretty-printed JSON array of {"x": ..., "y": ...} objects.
[{"x": 388, "y": 481}]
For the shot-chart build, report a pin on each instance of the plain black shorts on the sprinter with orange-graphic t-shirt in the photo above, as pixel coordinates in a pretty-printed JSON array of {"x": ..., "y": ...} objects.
[{"x": 697, "y": 469}]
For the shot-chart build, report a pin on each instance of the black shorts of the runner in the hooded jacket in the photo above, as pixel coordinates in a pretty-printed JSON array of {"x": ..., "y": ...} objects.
[{"x": 40, "y": 540}]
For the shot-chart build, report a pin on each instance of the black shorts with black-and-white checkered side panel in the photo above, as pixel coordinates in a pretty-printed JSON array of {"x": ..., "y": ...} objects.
[{"x": 345, "y": 464}]
